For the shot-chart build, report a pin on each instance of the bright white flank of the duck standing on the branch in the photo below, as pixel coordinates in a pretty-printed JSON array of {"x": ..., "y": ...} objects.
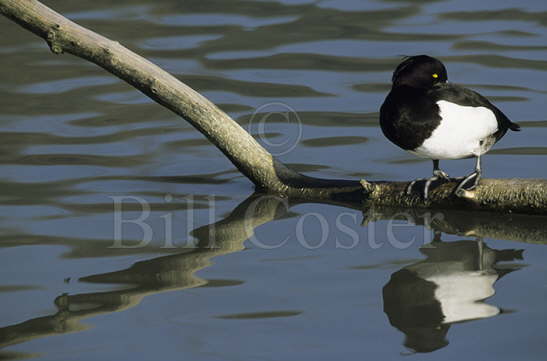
[{"x": 460, "y": 133}]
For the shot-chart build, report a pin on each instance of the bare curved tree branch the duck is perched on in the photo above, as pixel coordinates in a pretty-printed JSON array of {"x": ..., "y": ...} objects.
[{"x": 255, "y": 162}]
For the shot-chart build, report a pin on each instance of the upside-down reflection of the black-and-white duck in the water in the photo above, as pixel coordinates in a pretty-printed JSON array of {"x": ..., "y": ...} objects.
[{"x": 425, "y": 298}]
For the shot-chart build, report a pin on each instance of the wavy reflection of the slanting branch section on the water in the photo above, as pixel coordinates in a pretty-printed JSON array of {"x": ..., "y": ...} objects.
[{"x": 157, "y": 275}]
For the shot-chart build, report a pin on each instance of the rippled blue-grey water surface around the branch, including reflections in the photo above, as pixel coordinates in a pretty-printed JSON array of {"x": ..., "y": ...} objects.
[{"x": 227, "y": 275}]
